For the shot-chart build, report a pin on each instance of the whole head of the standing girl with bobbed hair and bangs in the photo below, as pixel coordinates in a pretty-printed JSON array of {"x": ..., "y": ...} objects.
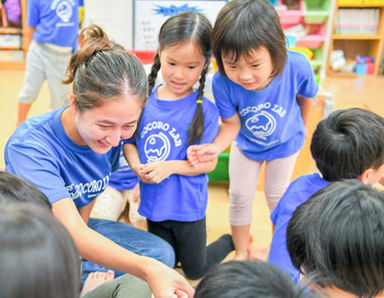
[{"x": 250, "y": 31}]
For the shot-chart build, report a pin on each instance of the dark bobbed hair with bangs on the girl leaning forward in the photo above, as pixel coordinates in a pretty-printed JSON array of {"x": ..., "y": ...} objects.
[{"x": 245, "y": 25}]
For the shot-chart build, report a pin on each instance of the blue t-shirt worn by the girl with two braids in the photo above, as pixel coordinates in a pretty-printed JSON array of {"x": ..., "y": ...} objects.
[{"x": 163, "y": 135}]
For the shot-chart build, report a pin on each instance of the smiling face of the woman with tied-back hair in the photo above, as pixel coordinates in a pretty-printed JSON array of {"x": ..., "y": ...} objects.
[{"x": 102, "y": 127}]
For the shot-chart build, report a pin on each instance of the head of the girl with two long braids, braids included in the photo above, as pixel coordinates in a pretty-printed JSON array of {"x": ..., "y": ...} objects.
[{"x": 183, "y": 55}]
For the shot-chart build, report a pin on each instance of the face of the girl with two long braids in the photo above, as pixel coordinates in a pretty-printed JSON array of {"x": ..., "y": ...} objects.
[{"x": 181, "y": 66}]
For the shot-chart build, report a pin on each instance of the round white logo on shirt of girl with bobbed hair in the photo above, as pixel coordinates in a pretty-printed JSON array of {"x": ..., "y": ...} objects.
[{"x": 261, "y": 125}]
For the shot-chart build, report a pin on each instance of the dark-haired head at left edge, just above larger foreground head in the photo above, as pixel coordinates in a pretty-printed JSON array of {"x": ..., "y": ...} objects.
[{"x": 16, "y": 190}]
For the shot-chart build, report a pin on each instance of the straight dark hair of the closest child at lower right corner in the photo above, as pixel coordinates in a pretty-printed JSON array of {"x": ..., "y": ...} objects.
[{"x": 336, "y": 238}]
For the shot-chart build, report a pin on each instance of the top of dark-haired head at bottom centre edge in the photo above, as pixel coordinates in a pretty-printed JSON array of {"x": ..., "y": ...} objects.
[{"x": 247, "y": 279}]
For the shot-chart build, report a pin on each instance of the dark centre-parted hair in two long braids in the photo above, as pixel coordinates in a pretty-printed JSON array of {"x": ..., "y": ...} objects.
[{"x": 183, "y": 27}]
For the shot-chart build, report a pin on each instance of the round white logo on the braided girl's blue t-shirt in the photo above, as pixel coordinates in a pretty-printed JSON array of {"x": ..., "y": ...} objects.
[{"x": 157, "y": 147}]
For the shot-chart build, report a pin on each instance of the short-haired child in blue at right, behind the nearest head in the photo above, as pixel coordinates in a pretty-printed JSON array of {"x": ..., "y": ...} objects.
[{"x": 347, "y": 144}]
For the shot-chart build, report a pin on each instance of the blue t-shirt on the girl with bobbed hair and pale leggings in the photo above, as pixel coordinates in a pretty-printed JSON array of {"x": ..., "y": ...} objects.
[{"x": 271, "y": 122}]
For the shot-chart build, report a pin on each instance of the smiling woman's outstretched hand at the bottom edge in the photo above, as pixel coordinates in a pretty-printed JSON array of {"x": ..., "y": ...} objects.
[{"x": 166, "y": 282}]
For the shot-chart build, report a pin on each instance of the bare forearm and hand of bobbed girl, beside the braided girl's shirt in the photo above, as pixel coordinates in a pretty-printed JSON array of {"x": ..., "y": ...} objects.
[{"x": 229, "y": 129}]
